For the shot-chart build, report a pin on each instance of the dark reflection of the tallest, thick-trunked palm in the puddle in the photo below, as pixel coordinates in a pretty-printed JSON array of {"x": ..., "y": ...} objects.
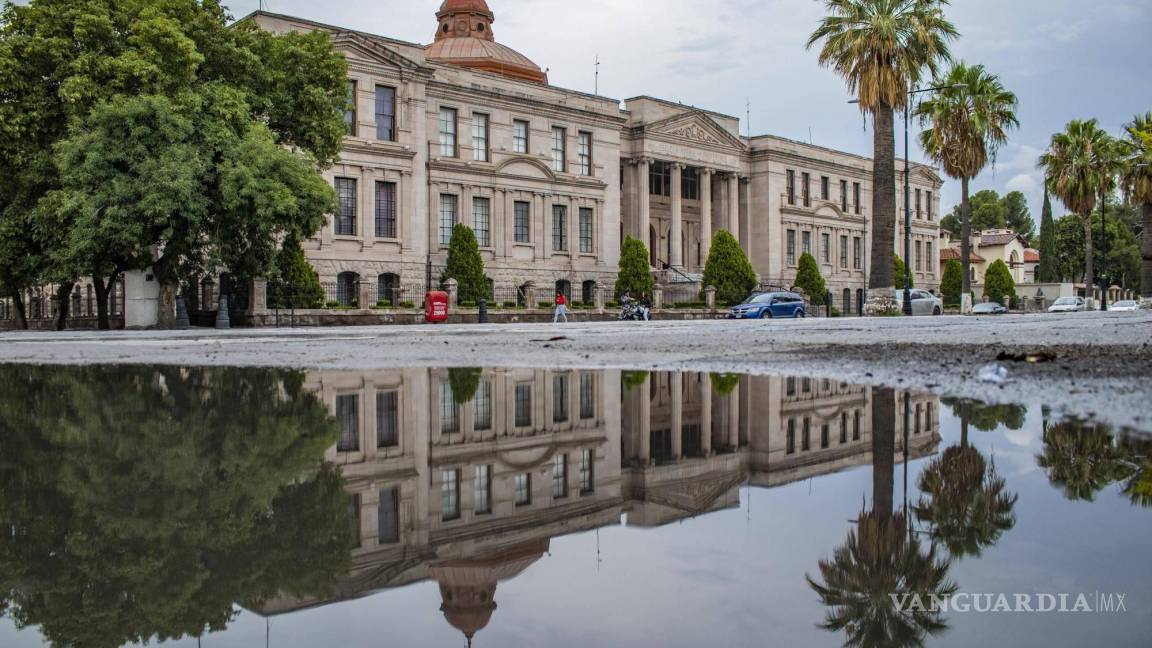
[{"x": 882, "y": 560}]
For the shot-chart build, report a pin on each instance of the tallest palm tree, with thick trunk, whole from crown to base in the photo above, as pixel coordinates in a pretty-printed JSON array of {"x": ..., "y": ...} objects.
[{"x": 882, "y": 48}]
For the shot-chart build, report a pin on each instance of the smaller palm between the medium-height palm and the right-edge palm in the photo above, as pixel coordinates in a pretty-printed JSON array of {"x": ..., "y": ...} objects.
[{"x": 1080, "y": 167}]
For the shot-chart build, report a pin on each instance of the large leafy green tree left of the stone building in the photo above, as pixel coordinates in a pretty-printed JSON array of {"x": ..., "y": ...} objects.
[{"x": 155, "y": 135}]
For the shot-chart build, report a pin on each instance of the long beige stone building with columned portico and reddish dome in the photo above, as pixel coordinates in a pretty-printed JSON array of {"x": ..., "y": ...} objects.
[{"x": 469, "y": 131}]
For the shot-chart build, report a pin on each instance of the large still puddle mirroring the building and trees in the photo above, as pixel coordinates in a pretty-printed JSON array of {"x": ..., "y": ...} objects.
[{"x": 529, "y": 508}]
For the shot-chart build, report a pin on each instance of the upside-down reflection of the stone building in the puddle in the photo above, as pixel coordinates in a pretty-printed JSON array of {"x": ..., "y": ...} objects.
[{"x": 464, "y": 477}]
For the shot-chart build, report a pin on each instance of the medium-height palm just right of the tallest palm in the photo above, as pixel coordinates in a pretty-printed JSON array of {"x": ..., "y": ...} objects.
[{"x": 971, "y": 117}]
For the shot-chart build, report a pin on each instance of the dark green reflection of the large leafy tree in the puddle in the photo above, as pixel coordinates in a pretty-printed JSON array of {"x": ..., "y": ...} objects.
[{"x": 146, "y": 503}]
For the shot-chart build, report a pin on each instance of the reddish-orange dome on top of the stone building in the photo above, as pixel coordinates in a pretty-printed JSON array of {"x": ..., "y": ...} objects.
[{"x": 465, "y": 39}]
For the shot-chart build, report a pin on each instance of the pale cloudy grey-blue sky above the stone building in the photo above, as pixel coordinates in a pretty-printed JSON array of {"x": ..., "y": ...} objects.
[{"x": 1065, "y": 59}]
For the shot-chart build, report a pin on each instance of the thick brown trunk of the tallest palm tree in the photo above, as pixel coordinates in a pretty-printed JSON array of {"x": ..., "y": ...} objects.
[{"x": 884, "y": 202}]
